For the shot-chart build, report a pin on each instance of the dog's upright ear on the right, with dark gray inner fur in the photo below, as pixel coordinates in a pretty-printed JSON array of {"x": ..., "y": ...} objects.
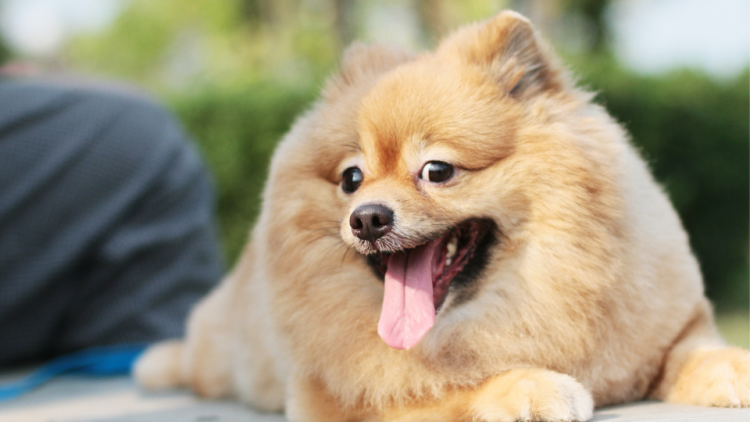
[{"x": 508, "y": 46}]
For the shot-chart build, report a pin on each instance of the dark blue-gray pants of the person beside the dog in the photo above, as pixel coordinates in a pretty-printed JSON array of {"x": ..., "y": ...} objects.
[{"x": 106, "y": 221}]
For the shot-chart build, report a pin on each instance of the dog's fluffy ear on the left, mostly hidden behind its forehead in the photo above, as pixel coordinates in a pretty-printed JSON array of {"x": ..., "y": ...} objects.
[{"x": 363, "y": 60}]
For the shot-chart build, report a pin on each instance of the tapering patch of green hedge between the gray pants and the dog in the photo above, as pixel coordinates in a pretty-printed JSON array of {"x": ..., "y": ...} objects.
[{"x": 237, "y": 129}]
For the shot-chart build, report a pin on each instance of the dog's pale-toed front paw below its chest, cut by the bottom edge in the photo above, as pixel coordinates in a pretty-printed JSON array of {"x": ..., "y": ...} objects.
[{"x": 533, "y": 395}]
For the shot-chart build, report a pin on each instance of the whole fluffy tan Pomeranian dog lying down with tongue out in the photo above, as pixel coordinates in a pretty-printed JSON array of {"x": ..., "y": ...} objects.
[{"x": 457, "y": 235}]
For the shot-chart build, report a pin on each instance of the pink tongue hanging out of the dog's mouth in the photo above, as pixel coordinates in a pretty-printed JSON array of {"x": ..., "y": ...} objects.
[{"x": 408, "y": 308}]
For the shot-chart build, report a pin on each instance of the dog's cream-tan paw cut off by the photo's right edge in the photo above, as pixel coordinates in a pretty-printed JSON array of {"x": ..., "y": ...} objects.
[{"x": 714, "y": 378}]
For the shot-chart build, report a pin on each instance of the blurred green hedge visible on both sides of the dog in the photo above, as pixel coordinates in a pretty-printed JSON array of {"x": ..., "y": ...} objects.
[{"x": 692, "y": 130}]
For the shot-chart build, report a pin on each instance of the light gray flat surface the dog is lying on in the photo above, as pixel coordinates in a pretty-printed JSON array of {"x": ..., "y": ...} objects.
[{"x": 118, "y": 399}]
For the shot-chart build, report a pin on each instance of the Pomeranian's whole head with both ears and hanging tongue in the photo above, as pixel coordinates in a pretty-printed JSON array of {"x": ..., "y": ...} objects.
[{"x": 434, "y": 162}]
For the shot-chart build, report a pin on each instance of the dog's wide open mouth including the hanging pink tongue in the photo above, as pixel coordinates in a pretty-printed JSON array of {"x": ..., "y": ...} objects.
[{"x": 417, "y": 281}]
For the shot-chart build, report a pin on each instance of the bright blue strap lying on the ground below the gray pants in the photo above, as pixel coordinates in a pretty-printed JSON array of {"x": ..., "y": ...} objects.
[{"x": 95, "y": 361}]
